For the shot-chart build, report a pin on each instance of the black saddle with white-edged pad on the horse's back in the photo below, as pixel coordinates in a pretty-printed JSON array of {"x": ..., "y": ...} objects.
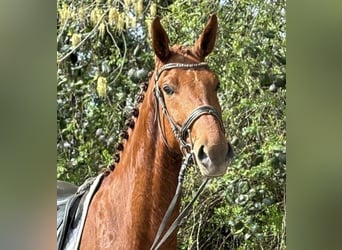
[{"x": 72, "y": 207}]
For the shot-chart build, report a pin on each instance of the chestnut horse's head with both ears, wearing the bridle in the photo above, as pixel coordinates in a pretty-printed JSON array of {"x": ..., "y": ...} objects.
[{"x": 190, "y": 115}]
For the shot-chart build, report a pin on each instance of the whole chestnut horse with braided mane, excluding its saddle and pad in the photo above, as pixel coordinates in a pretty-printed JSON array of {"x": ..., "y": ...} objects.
[{"x": 131, "y": 202}]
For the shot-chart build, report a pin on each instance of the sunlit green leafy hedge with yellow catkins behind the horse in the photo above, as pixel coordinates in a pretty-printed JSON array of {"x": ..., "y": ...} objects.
[{"x": 103, "y": 52}]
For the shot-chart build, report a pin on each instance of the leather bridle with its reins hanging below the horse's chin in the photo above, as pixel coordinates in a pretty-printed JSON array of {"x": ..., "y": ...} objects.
[{"x": 181, "y": 133}]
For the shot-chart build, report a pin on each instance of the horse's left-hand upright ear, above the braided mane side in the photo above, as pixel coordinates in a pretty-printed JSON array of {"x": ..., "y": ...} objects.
[{"x": 160, "y": 40}]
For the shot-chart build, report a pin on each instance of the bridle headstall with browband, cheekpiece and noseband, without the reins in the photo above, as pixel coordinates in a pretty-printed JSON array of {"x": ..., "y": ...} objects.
[{"x": 181, "y": 132}]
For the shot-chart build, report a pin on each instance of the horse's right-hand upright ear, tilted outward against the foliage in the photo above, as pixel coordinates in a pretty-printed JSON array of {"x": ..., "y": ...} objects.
[{"x": 206, "y": 41}]
